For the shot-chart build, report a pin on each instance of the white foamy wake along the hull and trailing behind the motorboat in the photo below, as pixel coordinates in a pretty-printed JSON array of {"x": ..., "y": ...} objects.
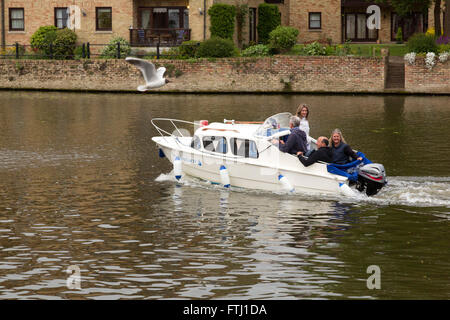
[{"x": 404, "y": 191}]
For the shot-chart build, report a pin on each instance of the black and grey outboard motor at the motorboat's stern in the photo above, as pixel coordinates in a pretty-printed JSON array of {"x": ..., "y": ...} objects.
[{"x": 371, "y": 177}]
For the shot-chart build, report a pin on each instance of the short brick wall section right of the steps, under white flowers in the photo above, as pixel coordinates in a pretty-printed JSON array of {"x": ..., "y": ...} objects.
[{"x": 419, "y": 79}]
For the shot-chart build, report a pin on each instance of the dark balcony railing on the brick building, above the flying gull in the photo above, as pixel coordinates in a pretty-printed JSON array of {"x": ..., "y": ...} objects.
[{"x": 163, "y": 37}]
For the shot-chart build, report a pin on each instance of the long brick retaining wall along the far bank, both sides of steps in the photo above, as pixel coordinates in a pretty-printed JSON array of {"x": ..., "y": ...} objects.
[{"x": 279, "y": 74}]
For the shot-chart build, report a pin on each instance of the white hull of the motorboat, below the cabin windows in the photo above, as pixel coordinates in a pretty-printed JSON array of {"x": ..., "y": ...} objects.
[{"x": 260, "y": 174}]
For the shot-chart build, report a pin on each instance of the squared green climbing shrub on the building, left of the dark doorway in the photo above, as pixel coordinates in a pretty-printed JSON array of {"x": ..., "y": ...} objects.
[{"x": 222, "y": 18}]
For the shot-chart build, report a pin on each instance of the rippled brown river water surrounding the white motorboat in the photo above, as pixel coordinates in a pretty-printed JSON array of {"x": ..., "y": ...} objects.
[{"x": 81, "y": 185}]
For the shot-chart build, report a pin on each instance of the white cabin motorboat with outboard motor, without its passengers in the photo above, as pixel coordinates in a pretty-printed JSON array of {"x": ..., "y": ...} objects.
[{"x": 241, "y": 154}]
